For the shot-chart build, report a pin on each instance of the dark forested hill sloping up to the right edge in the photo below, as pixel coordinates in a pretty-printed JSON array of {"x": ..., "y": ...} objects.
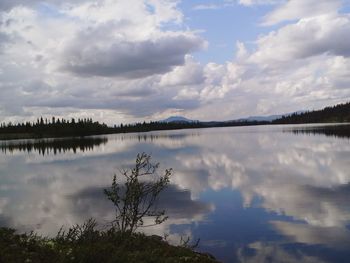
[{"x": 338, "y": 113}]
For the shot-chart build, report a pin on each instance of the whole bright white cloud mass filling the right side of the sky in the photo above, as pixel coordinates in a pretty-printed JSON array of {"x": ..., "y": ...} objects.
[{"x": 302, "y": 62}]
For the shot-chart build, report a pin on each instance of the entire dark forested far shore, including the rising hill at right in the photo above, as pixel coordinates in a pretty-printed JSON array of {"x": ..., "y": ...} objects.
[{"x": 56, "y": 127}]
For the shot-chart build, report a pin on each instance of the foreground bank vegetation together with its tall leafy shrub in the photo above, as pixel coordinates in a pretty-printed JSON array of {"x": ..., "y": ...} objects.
[{"x": 134, "y": 201}]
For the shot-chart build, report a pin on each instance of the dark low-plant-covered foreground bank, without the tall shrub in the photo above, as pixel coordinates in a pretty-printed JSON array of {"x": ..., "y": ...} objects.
[{"x": 86, "y": 244}]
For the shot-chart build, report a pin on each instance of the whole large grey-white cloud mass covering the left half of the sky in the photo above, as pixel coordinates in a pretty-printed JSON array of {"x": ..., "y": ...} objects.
[{"x": 113, "y": 52}]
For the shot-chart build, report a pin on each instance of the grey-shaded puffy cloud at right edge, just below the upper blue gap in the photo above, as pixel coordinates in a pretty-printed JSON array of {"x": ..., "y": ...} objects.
[{"x": 308, "y": 37}]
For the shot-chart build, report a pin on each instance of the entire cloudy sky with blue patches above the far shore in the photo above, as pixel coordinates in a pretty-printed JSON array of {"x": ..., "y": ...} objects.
[{"x": 121, "y": 61}]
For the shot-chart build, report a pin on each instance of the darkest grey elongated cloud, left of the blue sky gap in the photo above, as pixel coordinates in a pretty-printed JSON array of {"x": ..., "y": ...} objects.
[{"x": 87, "y": 57}]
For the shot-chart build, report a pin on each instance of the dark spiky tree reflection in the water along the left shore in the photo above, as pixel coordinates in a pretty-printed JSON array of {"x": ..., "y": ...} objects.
[{"x": 53, "y": 146}]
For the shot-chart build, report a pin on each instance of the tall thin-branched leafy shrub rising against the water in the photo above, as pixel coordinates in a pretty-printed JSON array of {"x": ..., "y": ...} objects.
[{"x": 139, "y": 198}]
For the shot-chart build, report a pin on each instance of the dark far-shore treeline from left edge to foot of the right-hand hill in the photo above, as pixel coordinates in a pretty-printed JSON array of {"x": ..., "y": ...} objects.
[{"x": 55, "y": 127}]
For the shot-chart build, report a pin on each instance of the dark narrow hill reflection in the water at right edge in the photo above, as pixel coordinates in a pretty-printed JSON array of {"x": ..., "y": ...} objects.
[{"x": 341, "y": 131}]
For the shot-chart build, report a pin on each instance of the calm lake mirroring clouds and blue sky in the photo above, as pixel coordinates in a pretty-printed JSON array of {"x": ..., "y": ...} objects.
[{"x": 251, "y": 194}]
